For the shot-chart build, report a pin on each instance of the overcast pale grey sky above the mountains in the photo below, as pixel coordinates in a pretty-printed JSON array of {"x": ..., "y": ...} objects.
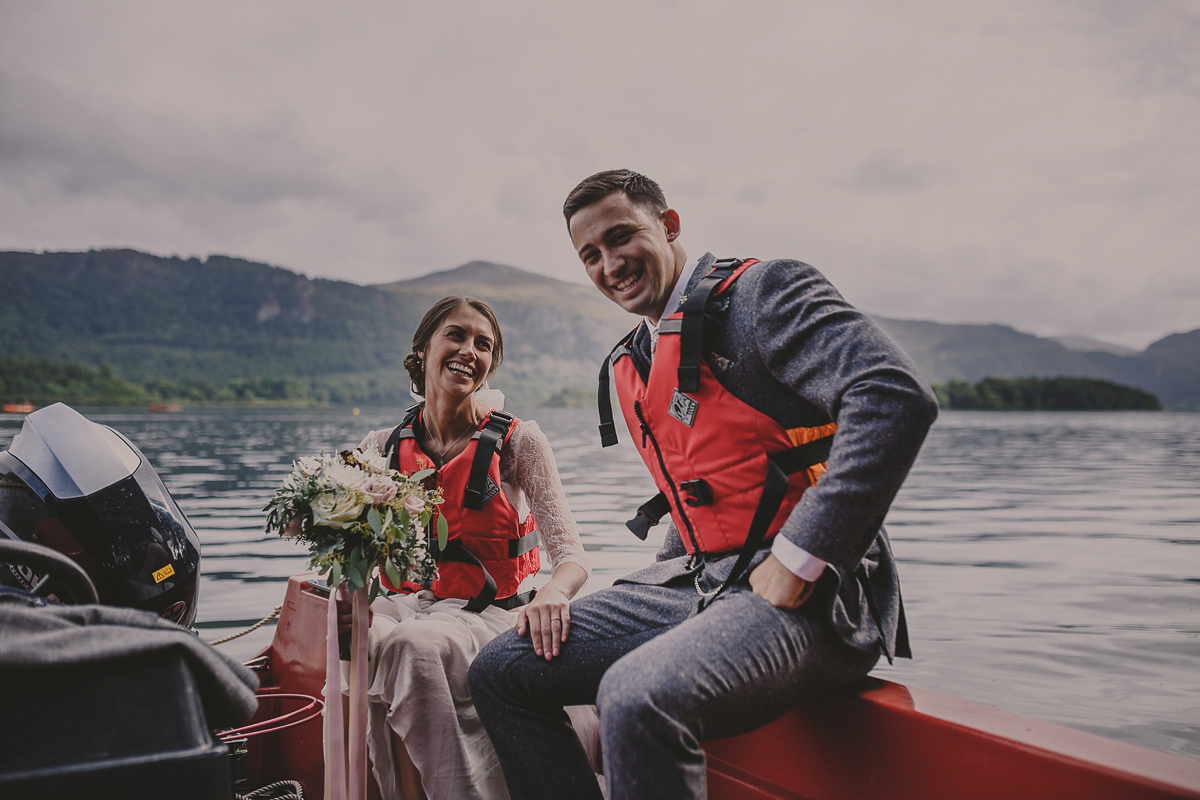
[{"x": 1029, "y": 164}]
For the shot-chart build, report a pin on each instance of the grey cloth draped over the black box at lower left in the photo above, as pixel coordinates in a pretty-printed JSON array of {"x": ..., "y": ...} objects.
[{"x": 33, "y": 637}]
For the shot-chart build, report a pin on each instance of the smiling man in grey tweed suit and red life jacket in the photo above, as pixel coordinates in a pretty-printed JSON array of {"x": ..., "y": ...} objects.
[{"x": 701, "y": 645}]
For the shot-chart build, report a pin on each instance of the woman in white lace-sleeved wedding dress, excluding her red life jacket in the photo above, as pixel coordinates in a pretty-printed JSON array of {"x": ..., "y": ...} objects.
[{"x": 424, "y": 737}]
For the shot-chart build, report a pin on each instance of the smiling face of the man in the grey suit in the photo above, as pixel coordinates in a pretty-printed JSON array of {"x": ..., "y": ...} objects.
[{"x": 627, "y": 251}]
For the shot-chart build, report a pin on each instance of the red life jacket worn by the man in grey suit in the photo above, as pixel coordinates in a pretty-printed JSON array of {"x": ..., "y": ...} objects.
[{"x": 729, "y": 474}]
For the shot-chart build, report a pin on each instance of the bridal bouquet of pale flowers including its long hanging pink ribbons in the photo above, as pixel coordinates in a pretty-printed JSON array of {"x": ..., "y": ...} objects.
[{"x": 356, "y": 515}]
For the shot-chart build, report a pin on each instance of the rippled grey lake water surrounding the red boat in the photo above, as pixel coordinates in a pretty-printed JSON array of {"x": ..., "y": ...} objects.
[{"x": 1051, "y": 562}]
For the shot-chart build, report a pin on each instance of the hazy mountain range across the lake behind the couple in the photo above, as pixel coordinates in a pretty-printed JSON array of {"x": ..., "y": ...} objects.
[{"x": 223, "y": 320}]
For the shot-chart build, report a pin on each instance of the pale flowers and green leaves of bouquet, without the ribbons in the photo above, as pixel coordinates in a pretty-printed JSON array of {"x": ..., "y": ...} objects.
[{"x": 356, "y": 514}]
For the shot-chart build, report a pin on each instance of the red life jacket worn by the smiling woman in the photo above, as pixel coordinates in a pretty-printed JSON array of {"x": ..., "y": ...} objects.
[{"x": 490, "y": 550}]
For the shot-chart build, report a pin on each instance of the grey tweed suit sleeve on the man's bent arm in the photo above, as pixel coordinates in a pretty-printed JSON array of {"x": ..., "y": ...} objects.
[{"x": 837, "y": 359}]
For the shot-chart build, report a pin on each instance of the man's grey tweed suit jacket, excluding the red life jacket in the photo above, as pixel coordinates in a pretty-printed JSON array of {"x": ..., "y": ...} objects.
[{"x": 785, "y": 342}]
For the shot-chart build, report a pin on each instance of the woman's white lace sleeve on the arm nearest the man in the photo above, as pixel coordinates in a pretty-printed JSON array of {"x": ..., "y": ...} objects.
[{"x": 529, "y": 464}]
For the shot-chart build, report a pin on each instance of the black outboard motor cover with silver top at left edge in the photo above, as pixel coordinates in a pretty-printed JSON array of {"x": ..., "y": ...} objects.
[{"x": 86, "y": 491}]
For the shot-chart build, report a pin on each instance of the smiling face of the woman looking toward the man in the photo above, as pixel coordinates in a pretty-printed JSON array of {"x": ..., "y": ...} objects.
[{"x": 459, "y": 356}]
